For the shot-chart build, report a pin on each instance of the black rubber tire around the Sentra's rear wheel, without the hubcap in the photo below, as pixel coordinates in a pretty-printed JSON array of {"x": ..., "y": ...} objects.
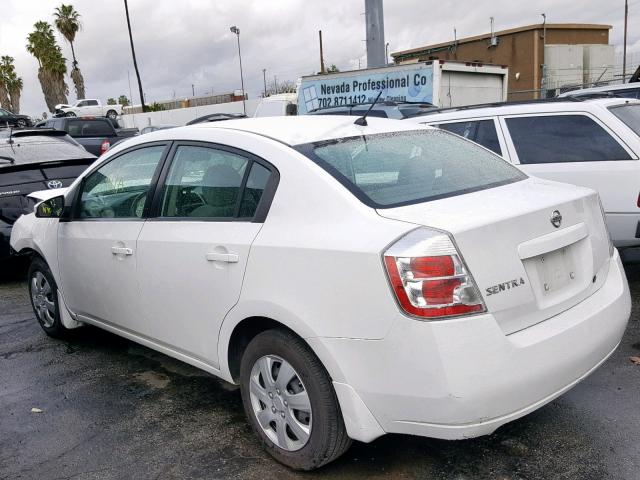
[{"x": 328, "y": 438}]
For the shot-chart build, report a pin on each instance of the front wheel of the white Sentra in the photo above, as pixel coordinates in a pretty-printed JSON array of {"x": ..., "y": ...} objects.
[{"x": 43, "y": 292}]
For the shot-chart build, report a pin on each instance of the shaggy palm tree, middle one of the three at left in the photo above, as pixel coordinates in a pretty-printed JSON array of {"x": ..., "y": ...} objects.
[{"x": 42, "y": 44}]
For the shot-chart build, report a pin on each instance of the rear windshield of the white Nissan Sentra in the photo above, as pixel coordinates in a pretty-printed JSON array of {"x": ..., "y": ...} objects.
[{"x": 394, "y": 169}]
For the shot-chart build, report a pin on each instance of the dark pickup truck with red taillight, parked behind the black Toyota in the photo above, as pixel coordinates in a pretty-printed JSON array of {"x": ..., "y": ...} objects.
[{"x": 97, "y": 135}]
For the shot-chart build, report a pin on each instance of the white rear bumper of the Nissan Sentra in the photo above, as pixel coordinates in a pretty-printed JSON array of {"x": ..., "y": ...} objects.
[{"x": 464, "y": 377}]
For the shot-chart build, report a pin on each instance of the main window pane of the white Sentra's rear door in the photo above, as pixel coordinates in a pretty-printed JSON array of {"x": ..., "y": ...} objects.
[{"x": 203, "y": 183}]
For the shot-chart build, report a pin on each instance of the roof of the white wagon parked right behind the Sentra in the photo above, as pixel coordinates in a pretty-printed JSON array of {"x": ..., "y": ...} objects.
[{"x": 558, "y": 105}]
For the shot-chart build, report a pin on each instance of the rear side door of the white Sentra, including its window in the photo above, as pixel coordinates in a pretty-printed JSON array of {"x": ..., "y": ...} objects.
[{"x": 194, "y": 249}]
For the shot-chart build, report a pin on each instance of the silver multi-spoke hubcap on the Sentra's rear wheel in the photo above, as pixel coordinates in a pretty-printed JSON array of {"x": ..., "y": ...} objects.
[{"x": 280, "y": 403}]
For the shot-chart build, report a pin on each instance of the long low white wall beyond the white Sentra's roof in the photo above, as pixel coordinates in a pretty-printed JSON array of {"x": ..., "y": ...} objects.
[{"x": 181, "y": 116}]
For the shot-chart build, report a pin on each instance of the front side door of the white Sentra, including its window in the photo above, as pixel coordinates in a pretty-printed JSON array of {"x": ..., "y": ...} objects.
[{"x": 97, "y": 249}]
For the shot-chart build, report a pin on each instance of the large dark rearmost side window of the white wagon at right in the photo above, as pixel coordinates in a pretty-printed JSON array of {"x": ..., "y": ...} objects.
[{"x": 562, "y": 138}]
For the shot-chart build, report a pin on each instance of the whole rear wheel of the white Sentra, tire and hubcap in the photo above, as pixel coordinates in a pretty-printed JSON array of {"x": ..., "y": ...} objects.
[{"x": 290, "y": 402}]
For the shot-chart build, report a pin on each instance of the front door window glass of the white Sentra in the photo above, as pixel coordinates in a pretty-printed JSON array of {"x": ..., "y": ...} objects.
[{"x": 120, "y": 188}]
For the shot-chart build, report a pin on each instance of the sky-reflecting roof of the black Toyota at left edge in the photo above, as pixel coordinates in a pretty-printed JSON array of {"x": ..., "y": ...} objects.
[{"x": 40, "y": 149}]
